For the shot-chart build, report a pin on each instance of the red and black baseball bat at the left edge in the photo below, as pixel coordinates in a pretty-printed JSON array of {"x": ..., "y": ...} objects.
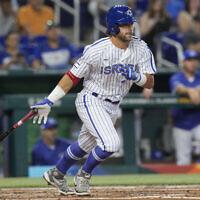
[{"x": 19, "y": 123}]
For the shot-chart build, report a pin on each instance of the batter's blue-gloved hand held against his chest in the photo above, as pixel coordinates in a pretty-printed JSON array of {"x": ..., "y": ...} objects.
[{"x": 129, "y": 73}]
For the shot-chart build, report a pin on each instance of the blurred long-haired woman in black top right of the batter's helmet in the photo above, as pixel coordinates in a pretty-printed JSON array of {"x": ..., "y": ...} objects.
[{"x": 153, "y": 22}]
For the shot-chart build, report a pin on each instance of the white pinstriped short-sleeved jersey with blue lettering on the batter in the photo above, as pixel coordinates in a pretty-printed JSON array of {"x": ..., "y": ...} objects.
[{"x": 100, "y": 65}]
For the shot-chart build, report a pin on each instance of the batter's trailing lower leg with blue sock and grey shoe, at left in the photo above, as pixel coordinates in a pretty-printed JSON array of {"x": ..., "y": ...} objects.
[{"x": 72, "y": 154}]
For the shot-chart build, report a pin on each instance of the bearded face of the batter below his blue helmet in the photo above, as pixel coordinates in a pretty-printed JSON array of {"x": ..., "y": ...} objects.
[{"x": 126, "y": 32}]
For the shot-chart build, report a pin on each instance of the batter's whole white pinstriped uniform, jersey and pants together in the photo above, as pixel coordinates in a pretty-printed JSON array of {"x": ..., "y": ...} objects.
[{"x": 100, "y": 67}]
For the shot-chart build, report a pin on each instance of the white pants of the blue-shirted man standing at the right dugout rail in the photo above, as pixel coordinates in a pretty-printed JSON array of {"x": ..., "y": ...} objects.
[{"x": 182, "y": 144}]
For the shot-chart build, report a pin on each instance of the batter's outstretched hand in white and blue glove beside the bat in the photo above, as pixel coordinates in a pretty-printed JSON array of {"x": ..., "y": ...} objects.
[{"x": 43, "y": 109}]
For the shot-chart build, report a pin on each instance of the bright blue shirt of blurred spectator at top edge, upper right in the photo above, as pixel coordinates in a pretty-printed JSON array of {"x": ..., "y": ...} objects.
[{"x": 174, "y": 7}]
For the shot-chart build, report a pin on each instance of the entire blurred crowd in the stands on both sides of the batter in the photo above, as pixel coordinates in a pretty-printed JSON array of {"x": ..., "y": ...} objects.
[{"x": 29, "y": 38}]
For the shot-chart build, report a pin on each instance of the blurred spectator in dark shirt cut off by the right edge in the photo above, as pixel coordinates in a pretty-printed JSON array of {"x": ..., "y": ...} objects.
[{"x": 192, "y": 37}]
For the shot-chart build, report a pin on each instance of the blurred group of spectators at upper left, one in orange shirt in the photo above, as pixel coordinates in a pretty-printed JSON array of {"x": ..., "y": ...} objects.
[{"x": 29, "y": 38}]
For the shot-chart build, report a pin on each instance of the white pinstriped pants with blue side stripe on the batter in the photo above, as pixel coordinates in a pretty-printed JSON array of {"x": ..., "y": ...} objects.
[{"x": 98, "y": 117}]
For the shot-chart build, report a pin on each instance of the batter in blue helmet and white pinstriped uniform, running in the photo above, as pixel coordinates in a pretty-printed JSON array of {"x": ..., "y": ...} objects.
[{"x": 109, "y": 66}]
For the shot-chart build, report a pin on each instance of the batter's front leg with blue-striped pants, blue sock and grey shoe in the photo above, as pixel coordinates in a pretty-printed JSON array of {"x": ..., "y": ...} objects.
[{"x": 100, "y": 125}]
